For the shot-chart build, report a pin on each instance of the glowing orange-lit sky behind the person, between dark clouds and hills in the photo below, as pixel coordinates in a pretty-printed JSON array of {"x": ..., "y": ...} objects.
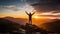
[{"x": 38, "y": 18}]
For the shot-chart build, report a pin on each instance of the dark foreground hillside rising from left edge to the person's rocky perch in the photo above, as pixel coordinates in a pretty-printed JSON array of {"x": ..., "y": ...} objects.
[{"x": 9, "y": 26}]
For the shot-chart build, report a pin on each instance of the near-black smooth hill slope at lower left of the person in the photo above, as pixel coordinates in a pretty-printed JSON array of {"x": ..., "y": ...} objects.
[{"x": 8, "y": 26}]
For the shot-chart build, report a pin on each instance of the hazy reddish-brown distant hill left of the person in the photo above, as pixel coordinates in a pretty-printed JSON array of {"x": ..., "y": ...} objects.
[{"x": 20, "y": 21}]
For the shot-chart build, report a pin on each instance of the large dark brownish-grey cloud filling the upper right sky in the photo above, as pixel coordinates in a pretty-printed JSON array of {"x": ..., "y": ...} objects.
[{"x": 46, "y": 5}]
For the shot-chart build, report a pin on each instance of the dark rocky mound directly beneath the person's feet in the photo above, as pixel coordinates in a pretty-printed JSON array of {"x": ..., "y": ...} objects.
[{"x": 33, "y": 29}]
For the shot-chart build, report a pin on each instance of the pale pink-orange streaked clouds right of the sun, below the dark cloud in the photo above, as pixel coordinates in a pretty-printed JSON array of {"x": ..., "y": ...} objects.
[{"x": 49, "y": 15}]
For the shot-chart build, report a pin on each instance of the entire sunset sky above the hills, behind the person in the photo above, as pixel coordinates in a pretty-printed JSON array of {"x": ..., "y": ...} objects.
[{"x": 42, "y": 8}]
